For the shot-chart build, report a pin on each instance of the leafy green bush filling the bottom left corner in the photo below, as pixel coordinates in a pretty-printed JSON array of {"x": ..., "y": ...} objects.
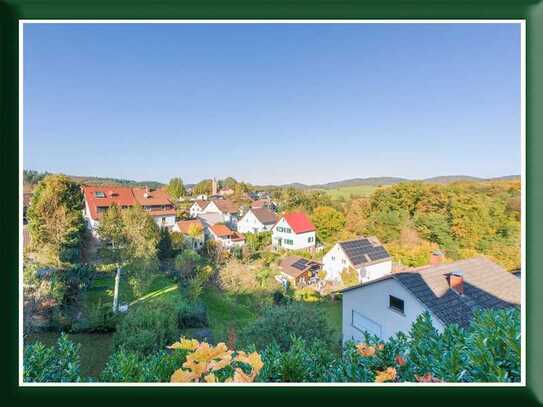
[{"x": 58, "y": 363}]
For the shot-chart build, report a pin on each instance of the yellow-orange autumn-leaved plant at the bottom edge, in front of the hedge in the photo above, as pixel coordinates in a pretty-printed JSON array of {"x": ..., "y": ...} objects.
[{"x": 214, "y": 364}]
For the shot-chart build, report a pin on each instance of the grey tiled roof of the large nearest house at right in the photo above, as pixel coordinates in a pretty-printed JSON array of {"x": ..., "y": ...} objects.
[{"x": 486, "y": 285}]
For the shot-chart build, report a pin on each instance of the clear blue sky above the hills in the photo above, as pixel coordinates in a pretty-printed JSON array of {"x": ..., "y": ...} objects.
[{"x": 272, "y": 103}]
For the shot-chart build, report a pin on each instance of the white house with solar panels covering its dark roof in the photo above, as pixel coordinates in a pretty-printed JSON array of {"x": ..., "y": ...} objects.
[{"x": 366, "y": 255}]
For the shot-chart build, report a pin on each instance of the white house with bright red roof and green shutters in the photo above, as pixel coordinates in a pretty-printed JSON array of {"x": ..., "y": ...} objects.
[{"x": 294, "y": 231}]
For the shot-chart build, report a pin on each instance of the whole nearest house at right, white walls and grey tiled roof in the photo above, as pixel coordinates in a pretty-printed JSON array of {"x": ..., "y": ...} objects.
[{"x": 449, "y": 292}]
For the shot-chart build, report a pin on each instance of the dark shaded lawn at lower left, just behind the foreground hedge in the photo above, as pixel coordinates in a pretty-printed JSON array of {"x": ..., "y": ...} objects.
[{"x": 95, "y": 349}]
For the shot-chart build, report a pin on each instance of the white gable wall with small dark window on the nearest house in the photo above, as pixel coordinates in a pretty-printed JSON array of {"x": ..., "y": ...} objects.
[{"x": 371, "y": 305}]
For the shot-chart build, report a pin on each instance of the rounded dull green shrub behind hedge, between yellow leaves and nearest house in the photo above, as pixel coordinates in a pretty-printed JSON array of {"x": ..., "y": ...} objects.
[{"x": 280, "y": 323}]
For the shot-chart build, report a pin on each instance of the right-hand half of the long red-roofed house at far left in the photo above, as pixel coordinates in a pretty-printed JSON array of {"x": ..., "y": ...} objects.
[{"x": 158, "y": 204}]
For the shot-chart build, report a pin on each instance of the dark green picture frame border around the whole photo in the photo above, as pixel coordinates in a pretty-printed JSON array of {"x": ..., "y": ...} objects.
[{"x": 531, "y": 11}]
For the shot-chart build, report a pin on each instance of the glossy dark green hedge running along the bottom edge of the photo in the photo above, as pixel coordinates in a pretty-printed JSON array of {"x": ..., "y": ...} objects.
[{"x": 487, "y": 351}]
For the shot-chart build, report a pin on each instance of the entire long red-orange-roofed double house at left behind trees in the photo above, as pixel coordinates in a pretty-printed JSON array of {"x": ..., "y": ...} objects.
[{"x": 99, "y": 198}]
